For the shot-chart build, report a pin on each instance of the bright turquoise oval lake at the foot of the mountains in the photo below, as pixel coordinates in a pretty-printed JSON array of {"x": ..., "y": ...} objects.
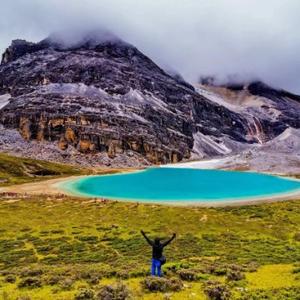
[{"x": 182, "y": 185}]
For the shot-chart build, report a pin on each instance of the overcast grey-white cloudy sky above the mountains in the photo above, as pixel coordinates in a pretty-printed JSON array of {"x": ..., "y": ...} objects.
[{"x": 248, "y": 38}]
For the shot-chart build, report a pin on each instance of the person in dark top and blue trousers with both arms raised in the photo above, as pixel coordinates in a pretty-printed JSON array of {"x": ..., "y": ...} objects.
[{"x": 157, "y": 253}]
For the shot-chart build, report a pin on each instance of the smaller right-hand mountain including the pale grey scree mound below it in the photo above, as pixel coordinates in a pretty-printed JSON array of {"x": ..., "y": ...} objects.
[{"x": 261, "y": 104}]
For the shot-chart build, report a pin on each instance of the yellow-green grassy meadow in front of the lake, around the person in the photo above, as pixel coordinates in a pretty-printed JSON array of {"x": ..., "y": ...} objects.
[{"x": 76, "y": 241}]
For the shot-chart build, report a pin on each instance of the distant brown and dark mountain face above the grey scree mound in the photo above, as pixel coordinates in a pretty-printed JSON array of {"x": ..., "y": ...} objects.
[{"x": 267, "y": 111}]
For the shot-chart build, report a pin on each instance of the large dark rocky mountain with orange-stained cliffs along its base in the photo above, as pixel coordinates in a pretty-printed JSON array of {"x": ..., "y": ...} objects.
[{"x": 106, "y": 96}]
